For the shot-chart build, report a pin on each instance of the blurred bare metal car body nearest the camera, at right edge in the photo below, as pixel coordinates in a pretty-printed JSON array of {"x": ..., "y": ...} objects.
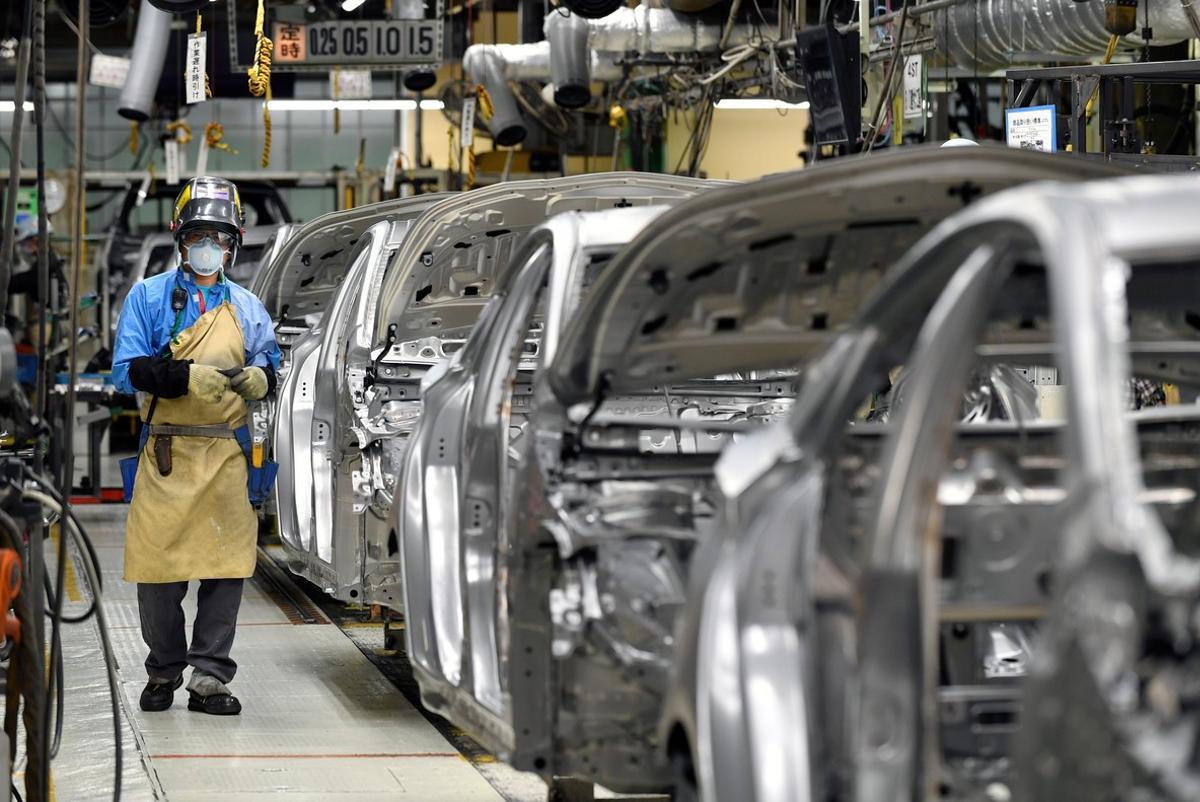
[{"x": 874, "y": 580}]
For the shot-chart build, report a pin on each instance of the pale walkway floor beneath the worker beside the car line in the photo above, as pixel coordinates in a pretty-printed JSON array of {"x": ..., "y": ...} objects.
[{"x": 320, "y": 722}]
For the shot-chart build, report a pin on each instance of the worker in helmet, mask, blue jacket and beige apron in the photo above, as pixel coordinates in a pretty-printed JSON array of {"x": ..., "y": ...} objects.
[{"x": 200, "y": 349}]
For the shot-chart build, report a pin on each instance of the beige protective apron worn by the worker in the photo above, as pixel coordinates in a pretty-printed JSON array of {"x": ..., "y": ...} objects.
[{"x": 197, "y": 522}]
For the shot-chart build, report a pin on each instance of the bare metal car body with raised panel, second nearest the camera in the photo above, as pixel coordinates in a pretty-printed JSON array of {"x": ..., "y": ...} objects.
[{"x": 545, "y": 571}]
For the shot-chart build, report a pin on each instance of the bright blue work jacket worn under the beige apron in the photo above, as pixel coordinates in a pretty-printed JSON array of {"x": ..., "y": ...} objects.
[{"x": 147, "y": 321}]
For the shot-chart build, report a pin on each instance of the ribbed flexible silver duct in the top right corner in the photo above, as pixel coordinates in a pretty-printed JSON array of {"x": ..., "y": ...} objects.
[{"x": 999, "y": 33}]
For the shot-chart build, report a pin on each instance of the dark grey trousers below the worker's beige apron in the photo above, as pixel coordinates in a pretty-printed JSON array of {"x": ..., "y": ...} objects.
[{"x": 160, "y": 607}]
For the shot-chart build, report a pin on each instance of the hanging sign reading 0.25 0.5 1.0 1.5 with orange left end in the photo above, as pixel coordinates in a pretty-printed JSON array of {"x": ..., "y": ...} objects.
[{"x": 374, "y": 41}]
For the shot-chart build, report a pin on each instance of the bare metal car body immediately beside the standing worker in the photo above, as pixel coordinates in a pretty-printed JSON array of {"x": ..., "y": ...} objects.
[{"x": 355, "y": 393}]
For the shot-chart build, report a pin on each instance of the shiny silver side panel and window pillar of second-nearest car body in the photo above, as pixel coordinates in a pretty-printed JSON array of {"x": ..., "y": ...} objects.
[{"x": 457, "y": 482}]
